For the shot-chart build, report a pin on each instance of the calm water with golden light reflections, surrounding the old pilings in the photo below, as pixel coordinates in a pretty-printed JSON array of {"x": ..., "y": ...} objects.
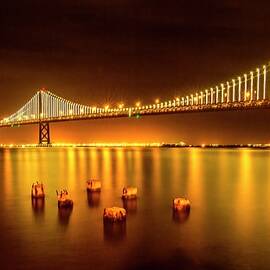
[{"x": 228, "y": 226}]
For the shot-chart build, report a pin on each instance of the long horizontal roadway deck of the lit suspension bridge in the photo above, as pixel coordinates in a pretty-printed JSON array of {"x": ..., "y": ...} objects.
[{"x": 133, "y": 112}]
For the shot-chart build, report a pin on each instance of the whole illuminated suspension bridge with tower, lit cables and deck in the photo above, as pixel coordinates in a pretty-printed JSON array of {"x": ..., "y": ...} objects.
[{"x": 248, "y": 91}]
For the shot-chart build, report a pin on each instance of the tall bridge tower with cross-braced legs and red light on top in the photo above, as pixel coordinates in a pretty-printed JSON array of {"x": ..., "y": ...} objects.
[{"x": 44, "y": 127}]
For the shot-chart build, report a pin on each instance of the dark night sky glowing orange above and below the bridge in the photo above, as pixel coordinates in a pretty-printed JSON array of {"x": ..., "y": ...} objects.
[{"x": 99, "y": 52}]
